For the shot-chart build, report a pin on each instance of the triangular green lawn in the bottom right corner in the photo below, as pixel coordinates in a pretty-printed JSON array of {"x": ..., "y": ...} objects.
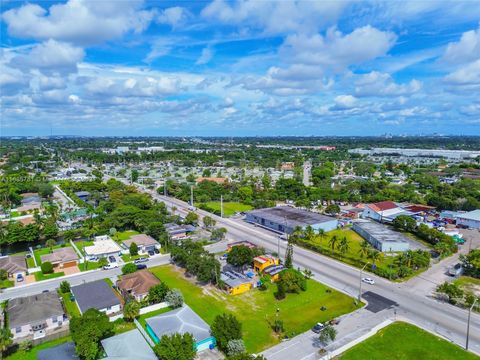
[{"x": 402, "y": 341}]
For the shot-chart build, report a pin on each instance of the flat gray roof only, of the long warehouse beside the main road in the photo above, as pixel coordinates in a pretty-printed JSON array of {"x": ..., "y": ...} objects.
[{"x": 290, "y": 216}]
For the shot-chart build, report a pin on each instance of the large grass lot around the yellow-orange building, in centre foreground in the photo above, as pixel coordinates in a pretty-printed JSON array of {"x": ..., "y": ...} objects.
[{"x": 256, "y": 309}]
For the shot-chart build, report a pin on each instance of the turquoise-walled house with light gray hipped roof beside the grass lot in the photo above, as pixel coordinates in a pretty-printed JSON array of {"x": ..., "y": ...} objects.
[{"x": 182, "y": 320}]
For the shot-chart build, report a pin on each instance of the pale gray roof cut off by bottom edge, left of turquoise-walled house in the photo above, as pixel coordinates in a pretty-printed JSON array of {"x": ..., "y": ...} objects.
[{"x": 126, "y": 346}]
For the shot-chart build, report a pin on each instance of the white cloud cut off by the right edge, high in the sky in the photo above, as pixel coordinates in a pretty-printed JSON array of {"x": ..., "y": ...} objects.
[{"x": 465, "y": 50}]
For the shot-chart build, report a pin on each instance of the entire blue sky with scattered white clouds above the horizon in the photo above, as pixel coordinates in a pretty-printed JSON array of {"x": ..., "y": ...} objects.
[{"x": 240, "y": 67}]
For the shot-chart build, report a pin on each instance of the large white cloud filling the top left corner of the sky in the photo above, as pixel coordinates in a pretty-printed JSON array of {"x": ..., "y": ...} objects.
[{"x": 78, "y": 21}]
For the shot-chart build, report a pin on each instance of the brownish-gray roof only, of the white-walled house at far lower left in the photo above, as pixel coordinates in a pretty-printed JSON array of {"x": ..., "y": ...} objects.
[{"x": 33, "y": 309}]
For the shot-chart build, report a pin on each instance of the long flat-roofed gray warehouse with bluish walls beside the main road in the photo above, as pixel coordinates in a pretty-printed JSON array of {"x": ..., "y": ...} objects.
[{"x": 285, "y": 219}]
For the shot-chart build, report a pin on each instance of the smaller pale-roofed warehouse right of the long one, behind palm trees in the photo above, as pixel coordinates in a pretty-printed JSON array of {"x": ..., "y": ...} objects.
[{"x": 381, "y": 237}]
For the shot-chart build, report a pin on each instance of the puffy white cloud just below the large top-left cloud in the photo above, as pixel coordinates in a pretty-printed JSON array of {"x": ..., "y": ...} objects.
[{"x": 50, "y": 57}]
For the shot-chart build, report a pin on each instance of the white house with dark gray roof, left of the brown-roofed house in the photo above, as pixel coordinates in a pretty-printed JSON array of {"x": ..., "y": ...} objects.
[{"x": 97, "y": 295}]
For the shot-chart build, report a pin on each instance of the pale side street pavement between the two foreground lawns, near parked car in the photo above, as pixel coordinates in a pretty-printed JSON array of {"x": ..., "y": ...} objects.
[{"x": 353, "y": 328}]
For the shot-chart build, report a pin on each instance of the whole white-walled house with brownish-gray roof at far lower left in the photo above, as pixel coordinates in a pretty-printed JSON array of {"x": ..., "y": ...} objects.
[{"x": 36, "y": 316}]
